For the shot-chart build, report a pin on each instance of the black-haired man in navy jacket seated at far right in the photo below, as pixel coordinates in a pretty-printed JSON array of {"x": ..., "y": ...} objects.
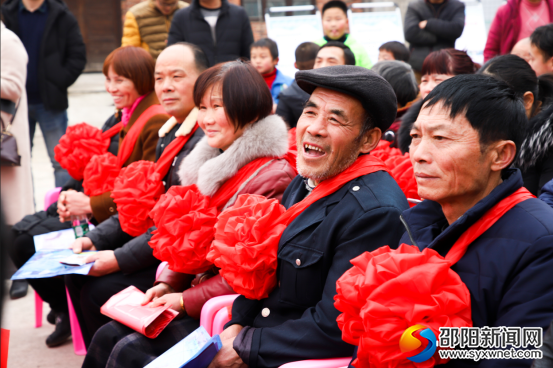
[{"x": 464, "y": 141}]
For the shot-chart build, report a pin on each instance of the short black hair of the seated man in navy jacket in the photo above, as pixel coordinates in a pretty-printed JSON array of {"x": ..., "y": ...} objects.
[{"x": 491, "y": 106}]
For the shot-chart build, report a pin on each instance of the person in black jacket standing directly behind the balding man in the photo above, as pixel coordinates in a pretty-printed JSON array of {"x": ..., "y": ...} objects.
[{"x": 220, "y": 29}]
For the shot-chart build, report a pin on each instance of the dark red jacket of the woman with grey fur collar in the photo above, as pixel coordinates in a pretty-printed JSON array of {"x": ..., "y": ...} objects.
[{"x": 270, "y": 182}]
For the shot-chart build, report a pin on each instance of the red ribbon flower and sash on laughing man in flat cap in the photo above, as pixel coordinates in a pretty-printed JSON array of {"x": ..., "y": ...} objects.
[{"x": 247, "y": 235}]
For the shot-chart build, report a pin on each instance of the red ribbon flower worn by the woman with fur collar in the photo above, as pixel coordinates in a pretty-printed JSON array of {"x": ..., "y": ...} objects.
[{"x": 185, "y": 225}]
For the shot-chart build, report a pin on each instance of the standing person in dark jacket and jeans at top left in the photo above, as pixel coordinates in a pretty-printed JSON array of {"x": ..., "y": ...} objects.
[{"x": 57, "y": 56}]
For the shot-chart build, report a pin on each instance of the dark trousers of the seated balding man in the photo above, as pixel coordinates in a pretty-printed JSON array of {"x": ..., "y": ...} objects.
[{"x": 88, "y": 294}]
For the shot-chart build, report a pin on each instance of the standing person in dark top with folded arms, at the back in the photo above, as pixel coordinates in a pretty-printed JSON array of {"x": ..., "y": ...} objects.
[{"x": 432, "y": 25}]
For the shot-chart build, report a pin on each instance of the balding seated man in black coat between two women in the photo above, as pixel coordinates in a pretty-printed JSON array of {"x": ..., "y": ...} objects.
[{"x": 124, "y": 260}]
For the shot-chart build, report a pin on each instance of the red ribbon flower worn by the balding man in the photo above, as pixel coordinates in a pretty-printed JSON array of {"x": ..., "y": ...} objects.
[{"x": 137, "y": 189}]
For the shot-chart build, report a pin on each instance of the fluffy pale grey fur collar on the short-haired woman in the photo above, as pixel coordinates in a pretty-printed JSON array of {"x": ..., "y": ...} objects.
[{"x": 206, "y": 167}]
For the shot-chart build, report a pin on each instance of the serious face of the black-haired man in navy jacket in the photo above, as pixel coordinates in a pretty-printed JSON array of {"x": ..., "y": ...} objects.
[{"x": 446, "y": 155}]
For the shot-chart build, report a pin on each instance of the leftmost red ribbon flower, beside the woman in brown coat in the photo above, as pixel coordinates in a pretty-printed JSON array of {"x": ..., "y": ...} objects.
[{"x": 77, "y": 146}]
